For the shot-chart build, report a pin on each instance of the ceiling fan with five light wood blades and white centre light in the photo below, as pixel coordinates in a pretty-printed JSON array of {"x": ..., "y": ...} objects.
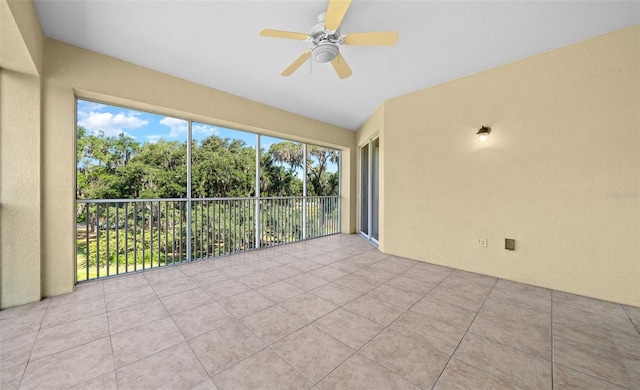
[{"x": 326, "y": 39}]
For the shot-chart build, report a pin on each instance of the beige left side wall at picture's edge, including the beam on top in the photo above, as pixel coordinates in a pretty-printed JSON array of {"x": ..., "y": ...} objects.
[{"x": 20, "y": 157}]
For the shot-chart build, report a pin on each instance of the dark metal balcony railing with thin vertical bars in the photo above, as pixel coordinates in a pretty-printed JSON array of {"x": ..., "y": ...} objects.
[{"x": 117, "y": 236}]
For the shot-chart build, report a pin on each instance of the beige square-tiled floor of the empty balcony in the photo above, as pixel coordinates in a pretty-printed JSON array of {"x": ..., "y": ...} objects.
[{"x": 330, "y": 313}]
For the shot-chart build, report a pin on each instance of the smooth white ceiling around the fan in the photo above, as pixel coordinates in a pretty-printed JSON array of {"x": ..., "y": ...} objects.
[{"x": 216, "y": 43}]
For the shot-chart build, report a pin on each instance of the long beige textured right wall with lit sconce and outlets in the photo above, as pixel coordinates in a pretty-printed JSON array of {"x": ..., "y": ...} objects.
[{"x": 560, "y": 172}]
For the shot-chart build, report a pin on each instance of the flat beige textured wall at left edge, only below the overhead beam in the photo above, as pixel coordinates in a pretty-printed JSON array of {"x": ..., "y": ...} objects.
[{"x": 19, "y": 188}]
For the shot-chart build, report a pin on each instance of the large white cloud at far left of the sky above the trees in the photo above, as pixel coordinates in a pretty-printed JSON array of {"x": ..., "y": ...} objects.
[{"x": 110, "y": 124}]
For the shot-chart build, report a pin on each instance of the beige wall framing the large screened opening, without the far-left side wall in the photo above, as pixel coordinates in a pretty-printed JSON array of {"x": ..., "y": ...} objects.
[{"x": 70, "y": 71}]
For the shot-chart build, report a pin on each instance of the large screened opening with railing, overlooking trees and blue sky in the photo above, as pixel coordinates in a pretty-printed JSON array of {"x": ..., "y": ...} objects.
[{"x": 153, "y": 190}]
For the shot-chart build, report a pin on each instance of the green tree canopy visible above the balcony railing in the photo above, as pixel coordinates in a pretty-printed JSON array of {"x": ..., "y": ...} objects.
[{"x": 119, "y": 167}]
